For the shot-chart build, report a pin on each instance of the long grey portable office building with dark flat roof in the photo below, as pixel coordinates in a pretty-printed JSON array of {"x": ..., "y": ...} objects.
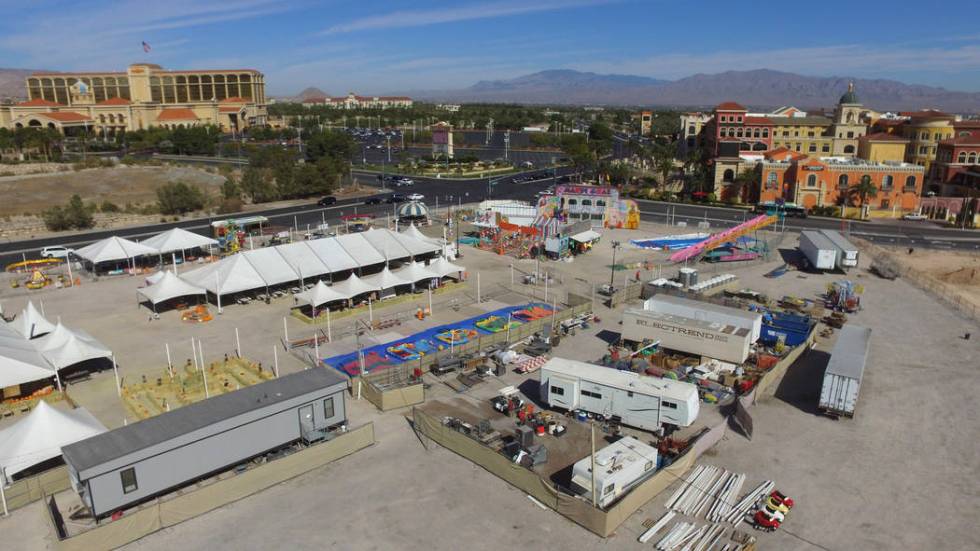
[{"x": 134, "y": 463}]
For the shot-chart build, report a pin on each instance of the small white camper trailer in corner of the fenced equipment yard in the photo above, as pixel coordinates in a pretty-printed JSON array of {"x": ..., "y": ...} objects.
[{"x": 619, "y": 467}]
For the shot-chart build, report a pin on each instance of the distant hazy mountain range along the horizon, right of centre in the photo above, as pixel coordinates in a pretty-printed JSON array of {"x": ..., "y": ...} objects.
[{"x": 759, "y": 88}]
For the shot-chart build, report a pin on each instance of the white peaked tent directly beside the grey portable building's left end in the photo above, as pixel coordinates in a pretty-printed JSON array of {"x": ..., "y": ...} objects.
[{"x": 40, "y": 436}]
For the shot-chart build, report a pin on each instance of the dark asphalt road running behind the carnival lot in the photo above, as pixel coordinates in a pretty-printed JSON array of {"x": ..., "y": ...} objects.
[{"x": 901, "y": 233}]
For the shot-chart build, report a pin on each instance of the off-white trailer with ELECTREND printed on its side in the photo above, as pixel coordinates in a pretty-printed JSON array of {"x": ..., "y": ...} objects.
[{"x": 699, "y": 337}]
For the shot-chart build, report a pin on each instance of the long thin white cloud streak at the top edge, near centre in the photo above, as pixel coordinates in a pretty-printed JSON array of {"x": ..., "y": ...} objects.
[{"x": 419, "y": 18}]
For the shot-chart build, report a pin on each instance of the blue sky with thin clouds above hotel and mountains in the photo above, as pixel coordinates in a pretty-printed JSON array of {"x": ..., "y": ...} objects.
[{"x": 372, "y": 46}]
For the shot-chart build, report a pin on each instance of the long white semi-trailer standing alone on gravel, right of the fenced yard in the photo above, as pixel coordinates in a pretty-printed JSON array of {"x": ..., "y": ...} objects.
[{"x": 842, "y": 380}]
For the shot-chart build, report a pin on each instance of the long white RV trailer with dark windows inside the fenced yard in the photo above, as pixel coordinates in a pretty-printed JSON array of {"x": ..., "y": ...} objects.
[{"x": 637, "y": 400}]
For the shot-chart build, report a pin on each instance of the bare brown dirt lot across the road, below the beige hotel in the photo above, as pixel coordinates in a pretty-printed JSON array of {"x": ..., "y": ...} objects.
[{"x": 122, "y": 184}]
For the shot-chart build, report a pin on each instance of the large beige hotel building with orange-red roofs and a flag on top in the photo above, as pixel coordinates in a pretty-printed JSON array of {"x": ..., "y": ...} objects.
[{"x": 143, "y": 96}]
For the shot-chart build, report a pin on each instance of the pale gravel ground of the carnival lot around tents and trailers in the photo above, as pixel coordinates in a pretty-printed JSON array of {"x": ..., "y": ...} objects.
[{"x": 900, "y": 475}]
